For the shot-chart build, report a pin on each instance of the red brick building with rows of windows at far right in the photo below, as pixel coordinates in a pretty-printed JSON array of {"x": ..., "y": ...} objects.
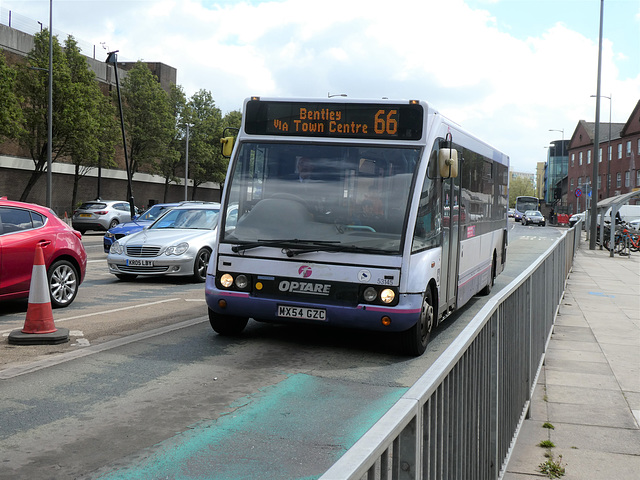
[{"x": 618, "y": 160}]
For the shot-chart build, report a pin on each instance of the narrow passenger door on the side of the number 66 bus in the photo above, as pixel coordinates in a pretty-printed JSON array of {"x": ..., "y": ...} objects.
[{"x": 450, "y": 242}]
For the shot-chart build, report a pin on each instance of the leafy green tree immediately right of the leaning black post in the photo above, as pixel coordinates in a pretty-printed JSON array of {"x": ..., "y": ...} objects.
[{"x": 149, "y": 122}]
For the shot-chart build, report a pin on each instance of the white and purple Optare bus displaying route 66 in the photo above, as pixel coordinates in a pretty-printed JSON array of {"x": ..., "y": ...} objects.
[{"x": 379, "y": 215}]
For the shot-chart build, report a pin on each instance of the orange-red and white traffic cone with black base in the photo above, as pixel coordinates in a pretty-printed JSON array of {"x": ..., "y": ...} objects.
[{"x": 38, "y": 326}]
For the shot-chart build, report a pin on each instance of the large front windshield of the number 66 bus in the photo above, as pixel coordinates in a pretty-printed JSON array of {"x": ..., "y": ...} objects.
[{"x": 303, "y": 197}]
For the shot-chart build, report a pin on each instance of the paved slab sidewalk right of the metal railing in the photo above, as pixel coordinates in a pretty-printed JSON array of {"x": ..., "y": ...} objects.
[{"x": 589, "y": 388}]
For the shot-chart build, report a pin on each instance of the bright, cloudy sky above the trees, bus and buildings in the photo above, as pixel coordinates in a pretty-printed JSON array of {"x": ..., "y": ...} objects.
[{"x": 516, "y": 73}]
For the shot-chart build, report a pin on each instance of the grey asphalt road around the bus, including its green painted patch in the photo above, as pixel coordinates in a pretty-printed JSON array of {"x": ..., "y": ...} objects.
[{"x": 145, "y": 388}]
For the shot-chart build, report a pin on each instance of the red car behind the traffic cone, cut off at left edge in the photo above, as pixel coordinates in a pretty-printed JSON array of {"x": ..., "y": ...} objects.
[{"x": 22, "y": 227}]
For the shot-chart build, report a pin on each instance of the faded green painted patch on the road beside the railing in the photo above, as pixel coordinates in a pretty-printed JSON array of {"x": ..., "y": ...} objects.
[{"x": 292, "y": 430}]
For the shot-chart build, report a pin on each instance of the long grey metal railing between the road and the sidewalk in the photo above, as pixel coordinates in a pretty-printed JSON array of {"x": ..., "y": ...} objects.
[{"x": 461, "y": 418}]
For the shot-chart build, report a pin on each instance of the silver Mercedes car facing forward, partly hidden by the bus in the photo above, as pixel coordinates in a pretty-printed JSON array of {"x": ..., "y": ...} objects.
[{"x": 178, "y": 243}]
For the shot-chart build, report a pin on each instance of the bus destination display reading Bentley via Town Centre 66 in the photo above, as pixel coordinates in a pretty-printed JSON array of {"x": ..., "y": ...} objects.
[{"x": 339, "y": 120}]
